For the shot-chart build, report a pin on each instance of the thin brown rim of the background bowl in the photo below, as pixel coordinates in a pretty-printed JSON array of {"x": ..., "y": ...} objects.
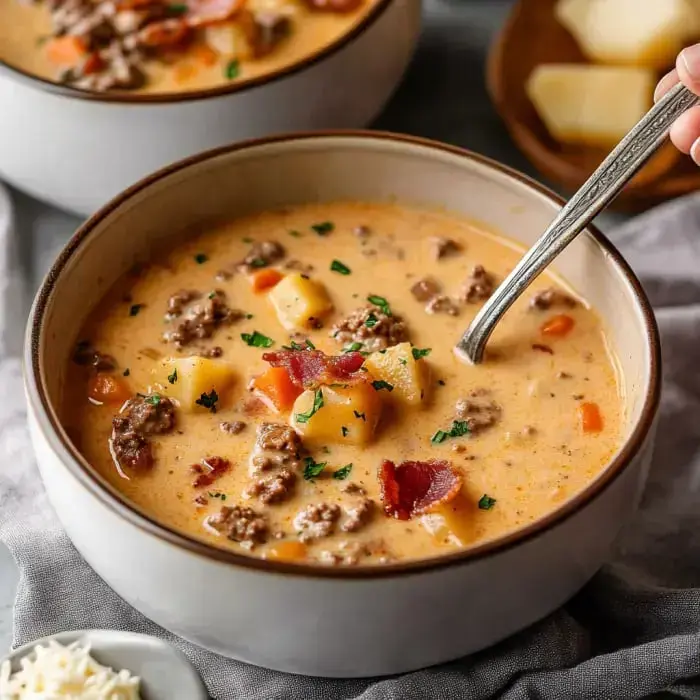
[{"x": 176, "y": 97}]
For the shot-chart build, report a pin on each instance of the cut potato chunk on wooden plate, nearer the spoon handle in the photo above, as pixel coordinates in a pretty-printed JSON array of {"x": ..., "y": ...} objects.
[{"x": 592, "y": 105}]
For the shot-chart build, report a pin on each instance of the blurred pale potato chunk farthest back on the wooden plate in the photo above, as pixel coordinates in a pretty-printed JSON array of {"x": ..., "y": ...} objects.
[{"x": 630, "y": 32}]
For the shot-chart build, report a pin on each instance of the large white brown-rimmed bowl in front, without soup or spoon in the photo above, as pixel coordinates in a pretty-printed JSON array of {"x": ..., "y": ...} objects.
[{"x": 328, "y": 621}]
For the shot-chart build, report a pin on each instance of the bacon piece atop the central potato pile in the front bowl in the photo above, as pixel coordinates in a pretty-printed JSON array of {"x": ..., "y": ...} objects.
[{"x": 312, "y": 367}]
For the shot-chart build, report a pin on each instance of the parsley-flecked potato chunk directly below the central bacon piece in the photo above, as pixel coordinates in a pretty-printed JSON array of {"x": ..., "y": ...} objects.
[{"x": 348, "y": 416}]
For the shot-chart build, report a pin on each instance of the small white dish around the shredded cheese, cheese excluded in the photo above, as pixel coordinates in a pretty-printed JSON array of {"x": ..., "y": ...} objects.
[{"x": 165, "y": 673}]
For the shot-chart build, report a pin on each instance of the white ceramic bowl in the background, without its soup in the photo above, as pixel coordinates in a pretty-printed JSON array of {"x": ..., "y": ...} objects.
[{"x": 79, "y": 149}]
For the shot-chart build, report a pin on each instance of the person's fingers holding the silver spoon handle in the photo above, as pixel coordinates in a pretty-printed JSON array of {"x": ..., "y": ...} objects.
[{"x": 685, "y": 132}]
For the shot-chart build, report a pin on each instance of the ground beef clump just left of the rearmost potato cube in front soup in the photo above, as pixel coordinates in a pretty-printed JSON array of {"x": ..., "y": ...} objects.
[{"x": 199, "y": 320}]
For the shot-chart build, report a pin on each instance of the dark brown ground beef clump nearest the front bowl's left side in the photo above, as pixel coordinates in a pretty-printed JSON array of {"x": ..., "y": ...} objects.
[{"x": 141, "y": 417}]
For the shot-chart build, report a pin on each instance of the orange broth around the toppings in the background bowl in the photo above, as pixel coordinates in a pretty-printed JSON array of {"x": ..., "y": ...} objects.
[{"x": 25, "y": 26}]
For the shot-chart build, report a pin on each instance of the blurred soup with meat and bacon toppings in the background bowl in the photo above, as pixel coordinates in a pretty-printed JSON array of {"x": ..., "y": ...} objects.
[{"x": 157, "y": 46}]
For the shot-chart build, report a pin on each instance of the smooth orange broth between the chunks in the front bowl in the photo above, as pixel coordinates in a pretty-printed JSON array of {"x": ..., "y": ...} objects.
[{"x": 531, "y": 461}]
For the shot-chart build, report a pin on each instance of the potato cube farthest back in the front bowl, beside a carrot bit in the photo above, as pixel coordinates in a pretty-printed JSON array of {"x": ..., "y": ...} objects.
[{"x": 299, "y": 301}]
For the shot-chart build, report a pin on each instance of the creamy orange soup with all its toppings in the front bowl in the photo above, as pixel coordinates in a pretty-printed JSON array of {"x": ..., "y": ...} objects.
[{"x": 285, "y": 385}]
